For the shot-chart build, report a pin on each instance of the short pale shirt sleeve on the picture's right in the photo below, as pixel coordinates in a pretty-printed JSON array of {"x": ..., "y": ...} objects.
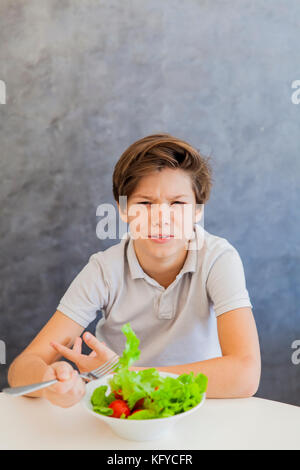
[{"x": 226, "y": 285}]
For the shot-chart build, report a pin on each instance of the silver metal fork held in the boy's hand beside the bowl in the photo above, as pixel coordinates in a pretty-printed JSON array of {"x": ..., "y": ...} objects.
[{"x": 101, "y": 371}]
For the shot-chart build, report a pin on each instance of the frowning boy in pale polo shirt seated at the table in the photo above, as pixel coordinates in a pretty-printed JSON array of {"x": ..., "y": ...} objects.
[{"x": 182, "y": 289}]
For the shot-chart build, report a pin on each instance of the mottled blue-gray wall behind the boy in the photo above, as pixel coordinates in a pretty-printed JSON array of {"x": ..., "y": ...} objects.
[{"x": 87, "y": 78}]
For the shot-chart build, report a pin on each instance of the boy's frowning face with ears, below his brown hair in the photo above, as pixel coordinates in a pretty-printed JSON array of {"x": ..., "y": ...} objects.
[{"x": 163, "y": 204}]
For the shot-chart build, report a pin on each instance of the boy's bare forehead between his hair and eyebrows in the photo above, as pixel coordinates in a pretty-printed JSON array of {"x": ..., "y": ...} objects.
[{"x": 167, "y": 182}]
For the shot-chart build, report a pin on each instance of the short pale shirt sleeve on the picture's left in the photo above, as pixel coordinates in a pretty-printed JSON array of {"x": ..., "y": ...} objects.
[{"x": 87, "y": 293}]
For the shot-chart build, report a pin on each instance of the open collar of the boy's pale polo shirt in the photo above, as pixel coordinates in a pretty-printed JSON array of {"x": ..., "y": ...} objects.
[{"x": 190, "y": 264}]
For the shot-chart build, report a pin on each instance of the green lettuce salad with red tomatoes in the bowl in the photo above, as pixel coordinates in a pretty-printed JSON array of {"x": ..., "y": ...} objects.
[{"x": 145, "y": 394}]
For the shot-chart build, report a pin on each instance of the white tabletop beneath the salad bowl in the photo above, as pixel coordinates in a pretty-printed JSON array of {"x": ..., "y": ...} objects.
[{"x": 248, "y": 423}]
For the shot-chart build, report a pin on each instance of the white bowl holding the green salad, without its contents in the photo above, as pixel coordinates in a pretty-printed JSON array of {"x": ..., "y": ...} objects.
[{"x": 140, "y": 429}]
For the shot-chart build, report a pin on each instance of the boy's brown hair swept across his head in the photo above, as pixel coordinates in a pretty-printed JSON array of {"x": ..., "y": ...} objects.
[{"x": 155, "y": 152}]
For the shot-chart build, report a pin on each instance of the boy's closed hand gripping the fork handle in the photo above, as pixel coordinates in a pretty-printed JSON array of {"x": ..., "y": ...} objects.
[{"x": 70, "y": 388}]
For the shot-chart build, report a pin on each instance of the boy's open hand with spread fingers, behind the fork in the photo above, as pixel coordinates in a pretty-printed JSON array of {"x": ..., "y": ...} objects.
[{"x": 85, "y": 363}]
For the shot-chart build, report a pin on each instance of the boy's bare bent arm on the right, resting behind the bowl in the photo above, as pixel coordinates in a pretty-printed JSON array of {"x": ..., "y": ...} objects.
[{"x": 237, "y": 373}]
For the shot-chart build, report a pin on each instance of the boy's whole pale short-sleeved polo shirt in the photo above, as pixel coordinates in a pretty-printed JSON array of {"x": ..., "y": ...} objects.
[{"x": 175, "y": 325}]
